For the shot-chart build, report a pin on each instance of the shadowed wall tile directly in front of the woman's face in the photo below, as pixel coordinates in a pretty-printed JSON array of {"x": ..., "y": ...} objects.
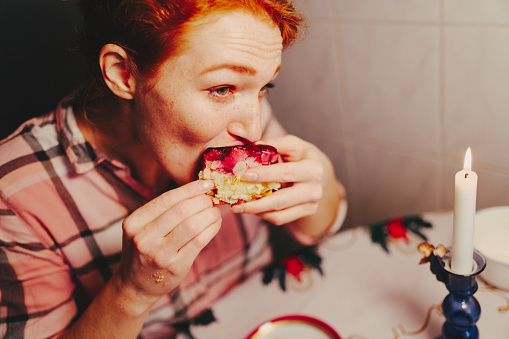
[{"x": 306, "y": 96}]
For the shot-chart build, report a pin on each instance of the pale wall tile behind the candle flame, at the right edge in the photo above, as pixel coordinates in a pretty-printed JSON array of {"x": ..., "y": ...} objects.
[{"x": 476, "y": 93}]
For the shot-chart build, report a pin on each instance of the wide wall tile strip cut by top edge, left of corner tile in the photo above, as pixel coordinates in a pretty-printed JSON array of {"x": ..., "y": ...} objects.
[{"x": 398, "y": 10}]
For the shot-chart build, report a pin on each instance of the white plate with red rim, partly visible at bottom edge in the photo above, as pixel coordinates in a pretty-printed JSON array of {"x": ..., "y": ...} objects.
[{"x": 294, "y": 327}]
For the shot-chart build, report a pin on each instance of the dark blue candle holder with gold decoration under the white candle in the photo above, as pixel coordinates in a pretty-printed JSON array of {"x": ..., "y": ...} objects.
[{"x": 460, "y": 308}]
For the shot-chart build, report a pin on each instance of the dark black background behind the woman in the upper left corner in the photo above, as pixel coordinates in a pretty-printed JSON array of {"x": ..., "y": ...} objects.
[{"x": 39, "y": 61}]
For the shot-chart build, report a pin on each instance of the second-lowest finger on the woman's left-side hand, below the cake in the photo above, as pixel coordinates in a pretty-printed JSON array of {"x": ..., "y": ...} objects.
[{"x": 191, "y": 228}]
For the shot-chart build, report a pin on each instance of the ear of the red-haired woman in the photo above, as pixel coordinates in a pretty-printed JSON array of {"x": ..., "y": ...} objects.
[{"x": 113, "y": 61}]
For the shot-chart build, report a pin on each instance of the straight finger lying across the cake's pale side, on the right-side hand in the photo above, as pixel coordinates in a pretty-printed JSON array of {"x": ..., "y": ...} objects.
[{"x": 301, "y": 171}]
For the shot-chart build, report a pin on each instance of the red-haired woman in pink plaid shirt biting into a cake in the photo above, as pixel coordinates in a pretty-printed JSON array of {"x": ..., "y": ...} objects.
[{"x": 105, "y": 231}]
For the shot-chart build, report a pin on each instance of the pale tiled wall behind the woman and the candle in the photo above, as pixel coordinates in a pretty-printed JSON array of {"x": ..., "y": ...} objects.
[{"x": 395, "y": 91}]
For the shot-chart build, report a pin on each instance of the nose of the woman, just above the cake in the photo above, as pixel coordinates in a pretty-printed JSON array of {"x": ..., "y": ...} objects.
[{"x": 247, "y": 123}]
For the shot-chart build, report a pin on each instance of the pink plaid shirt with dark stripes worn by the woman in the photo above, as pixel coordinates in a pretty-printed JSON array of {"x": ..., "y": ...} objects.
[{"x": 61, "y": 211}]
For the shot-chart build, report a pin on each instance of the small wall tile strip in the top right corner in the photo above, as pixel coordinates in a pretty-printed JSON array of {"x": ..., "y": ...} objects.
[{"x": 490, "y": 12}]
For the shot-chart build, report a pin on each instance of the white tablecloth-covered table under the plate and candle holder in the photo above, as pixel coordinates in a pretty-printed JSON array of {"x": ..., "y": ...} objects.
[{"x": 365, "y": 292}]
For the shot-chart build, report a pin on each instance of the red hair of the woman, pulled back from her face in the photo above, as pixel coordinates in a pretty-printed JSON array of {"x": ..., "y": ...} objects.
[{"x": 150, "y": 31}]
